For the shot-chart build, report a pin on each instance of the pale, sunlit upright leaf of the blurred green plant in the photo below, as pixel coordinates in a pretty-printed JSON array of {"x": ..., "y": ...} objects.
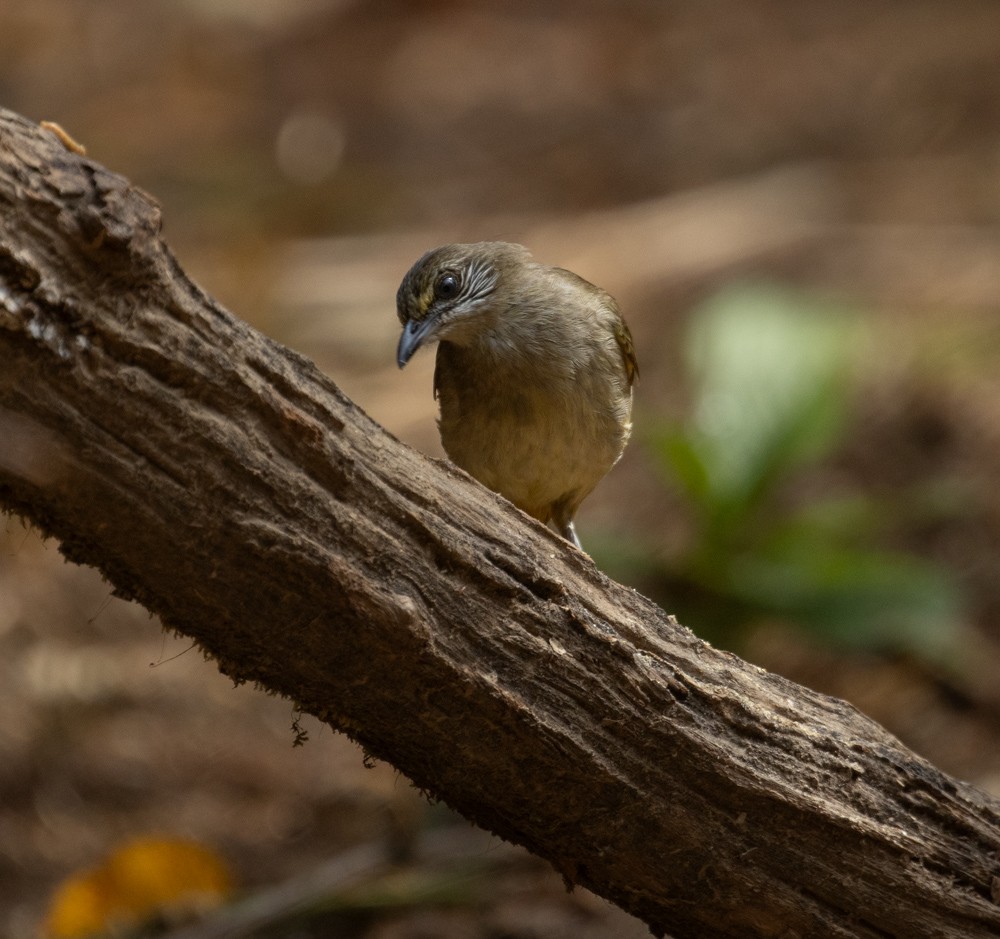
[{"x": 770, "y": 369}]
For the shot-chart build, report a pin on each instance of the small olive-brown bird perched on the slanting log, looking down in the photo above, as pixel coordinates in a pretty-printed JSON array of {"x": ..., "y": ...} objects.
[{"x": 533, "y": 376}]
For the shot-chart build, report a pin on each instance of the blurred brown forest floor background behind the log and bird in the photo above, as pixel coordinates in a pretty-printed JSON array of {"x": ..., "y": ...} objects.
[{"x": 797, "y": 205}]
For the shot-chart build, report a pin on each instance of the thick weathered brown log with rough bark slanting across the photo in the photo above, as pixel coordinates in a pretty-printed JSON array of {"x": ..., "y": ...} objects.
[{"x": 223, "y": 482}]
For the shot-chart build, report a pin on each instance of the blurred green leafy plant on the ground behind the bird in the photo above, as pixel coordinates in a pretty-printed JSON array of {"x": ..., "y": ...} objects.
[{"x": 772, "y": 376}]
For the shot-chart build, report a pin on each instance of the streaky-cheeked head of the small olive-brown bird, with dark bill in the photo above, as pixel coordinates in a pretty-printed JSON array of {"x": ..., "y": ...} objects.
[{"x": 448, "y": 293}]
